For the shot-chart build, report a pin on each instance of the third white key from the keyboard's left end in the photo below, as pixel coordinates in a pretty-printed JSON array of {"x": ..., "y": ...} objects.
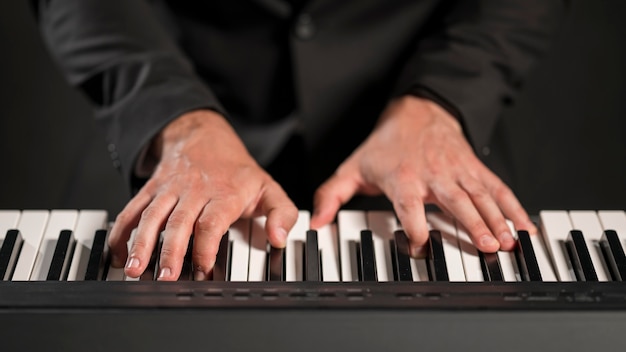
[{"x": 59, "y": 220}]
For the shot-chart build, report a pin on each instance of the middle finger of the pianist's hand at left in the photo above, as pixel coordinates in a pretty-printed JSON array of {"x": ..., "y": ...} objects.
[{"x": 176, "y": 237}]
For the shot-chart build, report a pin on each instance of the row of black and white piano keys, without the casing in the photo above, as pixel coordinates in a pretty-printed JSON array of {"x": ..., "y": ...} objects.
[{"x": 70, "y": 245}]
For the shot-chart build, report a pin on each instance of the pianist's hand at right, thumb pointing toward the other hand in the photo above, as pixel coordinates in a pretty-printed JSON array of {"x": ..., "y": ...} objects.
[{"x": 417, "y": 154}]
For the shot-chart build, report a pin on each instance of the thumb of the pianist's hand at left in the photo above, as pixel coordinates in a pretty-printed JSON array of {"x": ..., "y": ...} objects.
[{"x": 281, "y": 214}]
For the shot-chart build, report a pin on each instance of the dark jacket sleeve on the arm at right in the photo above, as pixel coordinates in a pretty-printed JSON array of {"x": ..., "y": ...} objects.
[{"x": 475, "y": 60}]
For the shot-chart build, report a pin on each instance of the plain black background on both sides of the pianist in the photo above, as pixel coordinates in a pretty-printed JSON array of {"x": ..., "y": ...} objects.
[{"x": 566, "y": 133}]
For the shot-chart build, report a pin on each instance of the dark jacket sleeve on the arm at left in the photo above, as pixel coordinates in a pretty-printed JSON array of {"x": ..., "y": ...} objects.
[{"x": 120, "y": 55}]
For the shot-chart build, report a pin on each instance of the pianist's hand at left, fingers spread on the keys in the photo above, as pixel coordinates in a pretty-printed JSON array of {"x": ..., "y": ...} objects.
[{"x": 204, "y": 181}]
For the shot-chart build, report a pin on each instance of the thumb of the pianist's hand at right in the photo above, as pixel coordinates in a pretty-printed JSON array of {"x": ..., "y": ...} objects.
[{"x": 330, "y": 196}]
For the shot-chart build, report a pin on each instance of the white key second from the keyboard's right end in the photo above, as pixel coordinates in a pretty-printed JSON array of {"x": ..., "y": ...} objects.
[{"x": 589, "y": 223}]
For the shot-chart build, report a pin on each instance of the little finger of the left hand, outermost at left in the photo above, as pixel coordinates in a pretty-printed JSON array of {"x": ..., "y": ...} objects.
[{"x": 125, "y": 222}]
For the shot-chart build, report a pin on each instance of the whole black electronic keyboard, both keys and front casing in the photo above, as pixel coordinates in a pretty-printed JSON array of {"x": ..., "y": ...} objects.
[{"x": 351, "y": 284}]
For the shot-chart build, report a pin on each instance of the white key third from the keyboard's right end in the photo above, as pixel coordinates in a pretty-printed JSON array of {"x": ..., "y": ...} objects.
[{"x": 555, "y": 227}]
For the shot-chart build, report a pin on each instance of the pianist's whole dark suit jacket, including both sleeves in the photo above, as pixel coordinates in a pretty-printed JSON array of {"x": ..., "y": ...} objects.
[{"x": 323, "y": 69}]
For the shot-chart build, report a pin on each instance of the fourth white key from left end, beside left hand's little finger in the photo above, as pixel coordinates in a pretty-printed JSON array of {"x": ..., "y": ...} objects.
[{"x": 89, "y": 221}]
